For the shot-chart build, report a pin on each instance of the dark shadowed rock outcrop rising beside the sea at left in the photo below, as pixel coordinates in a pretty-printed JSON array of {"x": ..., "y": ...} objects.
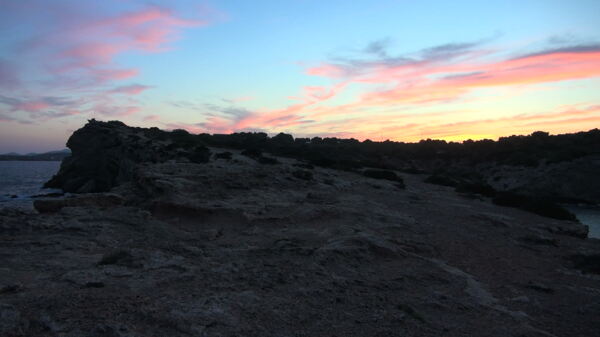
[{"x": 105, "y": 154}]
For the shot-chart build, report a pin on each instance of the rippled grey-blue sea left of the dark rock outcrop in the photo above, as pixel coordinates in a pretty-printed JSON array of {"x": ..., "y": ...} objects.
[{"x": 24, "y": 179}]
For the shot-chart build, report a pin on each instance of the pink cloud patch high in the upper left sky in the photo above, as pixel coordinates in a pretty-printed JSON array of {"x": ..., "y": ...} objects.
[{"x": 92, "y": 45}]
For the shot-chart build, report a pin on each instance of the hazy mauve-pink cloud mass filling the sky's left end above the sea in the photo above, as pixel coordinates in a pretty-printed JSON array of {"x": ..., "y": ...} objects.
[{"x": 75, "y": 51}]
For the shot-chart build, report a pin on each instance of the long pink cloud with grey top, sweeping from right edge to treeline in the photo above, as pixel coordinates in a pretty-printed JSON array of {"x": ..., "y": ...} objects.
[{"x": 433, "y": 76}]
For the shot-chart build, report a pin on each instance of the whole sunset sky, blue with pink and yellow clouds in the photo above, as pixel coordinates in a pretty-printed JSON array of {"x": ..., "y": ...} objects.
[{"x": 401, "y": 70}]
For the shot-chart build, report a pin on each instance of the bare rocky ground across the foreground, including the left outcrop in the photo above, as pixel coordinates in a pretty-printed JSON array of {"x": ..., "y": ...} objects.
[{"x": 206, "y": 241}]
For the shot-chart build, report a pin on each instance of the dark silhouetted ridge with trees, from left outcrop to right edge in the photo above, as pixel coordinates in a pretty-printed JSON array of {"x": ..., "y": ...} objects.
[{"x": 551, "y": 167}]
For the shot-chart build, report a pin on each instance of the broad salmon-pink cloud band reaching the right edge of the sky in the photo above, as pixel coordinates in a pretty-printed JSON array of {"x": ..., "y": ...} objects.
[{"x": 426, "y": 83}]
